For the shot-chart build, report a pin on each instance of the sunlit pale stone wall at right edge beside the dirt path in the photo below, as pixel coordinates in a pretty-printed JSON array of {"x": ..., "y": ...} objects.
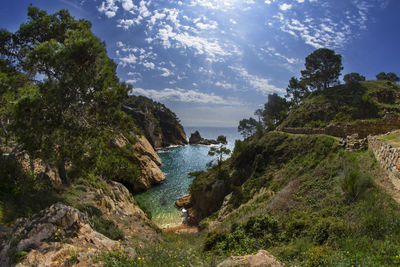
[{"x": 388, "y": 157}]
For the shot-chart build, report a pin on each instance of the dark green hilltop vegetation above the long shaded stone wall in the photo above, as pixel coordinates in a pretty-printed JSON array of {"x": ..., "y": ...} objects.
[{"x": 346, "y": 103}]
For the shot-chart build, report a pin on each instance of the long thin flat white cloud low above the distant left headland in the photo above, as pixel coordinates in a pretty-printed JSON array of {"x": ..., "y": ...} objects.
[{"x": 181, "y": 95}]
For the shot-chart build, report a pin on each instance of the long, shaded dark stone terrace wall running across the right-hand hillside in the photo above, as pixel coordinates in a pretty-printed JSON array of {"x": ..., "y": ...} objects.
[{"x": 363, "y": 128}]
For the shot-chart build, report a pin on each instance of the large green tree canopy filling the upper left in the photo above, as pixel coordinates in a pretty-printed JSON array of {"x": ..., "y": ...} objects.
[{"x": 65, "y": 89}]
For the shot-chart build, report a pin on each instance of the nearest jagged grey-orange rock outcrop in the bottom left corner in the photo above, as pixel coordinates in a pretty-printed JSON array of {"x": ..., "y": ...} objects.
[{"x": 57, "y": 236}]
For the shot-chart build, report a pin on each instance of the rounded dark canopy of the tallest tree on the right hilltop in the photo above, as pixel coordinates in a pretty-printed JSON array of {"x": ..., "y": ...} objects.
[{"x": 323, "y": 69}]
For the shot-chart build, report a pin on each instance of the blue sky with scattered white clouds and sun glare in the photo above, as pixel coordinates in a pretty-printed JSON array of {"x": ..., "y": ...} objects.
[{"x": 214, "y": 62}]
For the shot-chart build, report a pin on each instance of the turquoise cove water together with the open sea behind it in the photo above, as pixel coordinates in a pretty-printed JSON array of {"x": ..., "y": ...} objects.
[{"x": 177, "y": 163}]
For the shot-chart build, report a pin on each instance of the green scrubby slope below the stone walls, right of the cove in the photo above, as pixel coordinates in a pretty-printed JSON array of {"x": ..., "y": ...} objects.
[{"x": 304, "y": 199}]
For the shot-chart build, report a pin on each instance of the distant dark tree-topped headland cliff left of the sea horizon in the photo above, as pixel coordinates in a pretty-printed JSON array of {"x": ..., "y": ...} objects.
[{"x": 159, "y": 124}]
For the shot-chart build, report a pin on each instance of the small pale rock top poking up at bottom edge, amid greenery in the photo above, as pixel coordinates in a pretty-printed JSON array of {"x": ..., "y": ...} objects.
[{"x": 261, "y": 259}]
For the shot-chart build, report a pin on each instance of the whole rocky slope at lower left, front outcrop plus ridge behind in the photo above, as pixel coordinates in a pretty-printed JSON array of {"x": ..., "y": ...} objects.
[{"x": 62, "y": 235}]
